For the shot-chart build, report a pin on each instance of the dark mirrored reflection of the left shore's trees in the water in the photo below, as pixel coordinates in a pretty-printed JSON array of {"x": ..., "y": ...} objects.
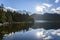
[{"x": 12, "y": 28}]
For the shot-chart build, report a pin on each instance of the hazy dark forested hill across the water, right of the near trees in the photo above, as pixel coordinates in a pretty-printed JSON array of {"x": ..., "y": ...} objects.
[{"x": 47, "y": 16}]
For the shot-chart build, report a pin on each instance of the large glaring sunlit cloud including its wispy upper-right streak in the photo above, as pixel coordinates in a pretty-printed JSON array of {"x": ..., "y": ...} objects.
[{"x": 42, "y": 8}]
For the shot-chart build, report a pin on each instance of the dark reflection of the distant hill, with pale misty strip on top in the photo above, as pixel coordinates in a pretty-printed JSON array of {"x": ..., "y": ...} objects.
[{"x": 47, "y": 24}]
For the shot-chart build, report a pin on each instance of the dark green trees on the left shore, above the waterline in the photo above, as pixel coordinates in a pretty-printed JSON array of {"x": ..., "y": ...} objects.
[{"x": 13, "y": 16}]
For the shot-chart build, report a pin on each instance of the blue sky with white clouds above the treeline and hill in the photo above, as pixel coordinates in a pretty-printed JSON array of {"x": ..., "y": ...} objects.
[{"x": 33, "y": 5}]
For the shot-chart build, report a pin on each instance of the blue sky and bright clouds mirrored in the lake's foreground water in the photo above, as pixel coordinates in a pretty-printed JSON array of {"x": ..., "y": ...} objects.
[{"x": 34, "y": 34}]
